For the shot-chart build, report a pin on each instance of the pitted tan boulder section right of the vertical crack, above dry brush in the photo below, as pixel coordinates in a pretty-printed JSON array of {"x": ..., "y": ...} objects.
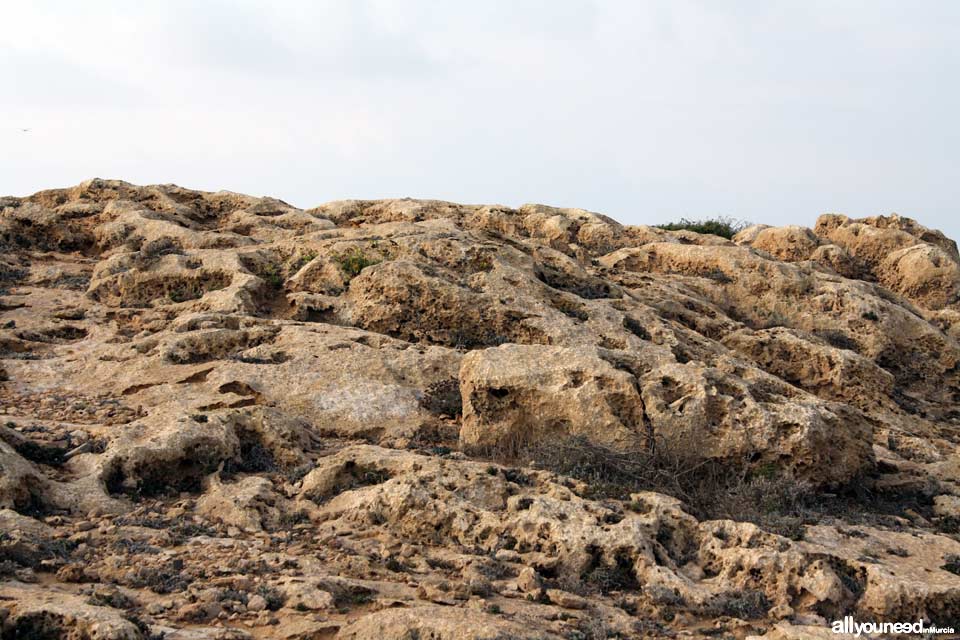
[{"x": 746, "y": 418}]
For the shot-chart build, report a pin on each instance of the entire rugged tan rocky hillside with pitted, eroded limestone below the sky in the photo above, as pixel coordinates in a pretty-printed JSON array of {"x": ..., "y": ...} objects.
[{"x": 226, "y": 417}]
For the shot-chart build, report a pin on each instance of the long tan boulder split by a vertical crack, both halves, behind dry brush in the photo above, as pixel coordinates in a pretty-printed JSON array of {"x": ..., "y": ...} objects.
[{"x": 516, "y": 395}]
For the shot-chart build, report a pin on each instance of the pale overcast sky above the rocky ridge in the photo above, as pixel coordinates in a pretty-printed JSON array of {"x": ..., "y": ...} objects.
[{"x": 768, "y": 111}]
